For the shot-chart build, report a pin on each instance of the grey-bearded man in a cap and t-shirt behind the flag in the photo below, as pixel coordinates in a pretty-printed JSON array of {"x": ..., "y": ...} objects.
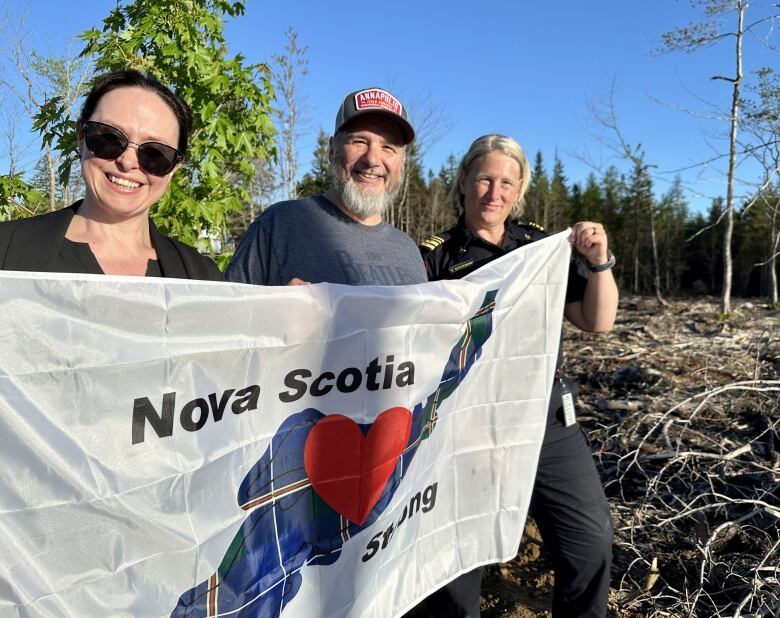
[{"x": 341, "y": 236}]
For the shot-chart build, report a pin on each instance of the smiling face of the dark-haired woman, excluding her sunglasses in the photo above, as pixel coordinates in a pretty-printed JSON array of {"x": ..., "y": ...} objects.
[{"x": 118, "y": 189}]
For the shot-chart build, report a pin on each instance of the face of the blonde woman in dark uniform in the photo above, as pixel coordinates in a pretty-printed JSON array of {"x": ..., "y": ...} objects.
[{"x": 490, "y": 188}]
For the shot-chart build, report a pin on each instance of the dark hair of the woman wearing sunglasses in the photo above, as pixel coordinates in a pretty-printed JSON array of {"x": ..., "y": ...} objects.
[{"x": 129, "y": 78}]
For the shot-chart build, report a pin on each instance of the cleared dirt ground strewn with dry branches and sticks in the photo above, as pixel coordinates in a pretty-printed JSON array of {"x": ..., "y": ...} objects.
[{"x": 683, "y": 411}]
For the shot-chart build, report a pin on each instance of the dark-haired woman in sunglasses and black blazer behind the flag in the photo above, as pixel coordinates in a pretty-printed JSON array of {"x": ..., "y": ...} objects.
[{"x": 132, "y": 136}]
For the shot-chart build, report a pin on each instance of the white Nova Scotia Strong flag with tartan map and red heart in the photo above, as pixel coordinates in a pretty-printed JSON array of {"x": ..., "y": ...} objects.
[{"x": 180, "y": 448}]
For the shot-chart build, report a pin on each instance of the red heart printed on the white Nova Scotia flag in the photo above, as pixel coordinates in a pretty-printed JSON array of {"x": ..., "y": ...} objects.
[{"x": 349, "y": 470}]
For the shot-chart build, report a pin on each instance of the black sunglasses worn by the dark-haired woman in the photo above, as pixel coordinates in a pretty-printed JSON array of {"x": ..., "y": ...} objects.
[{"x": 108, "y": 142}]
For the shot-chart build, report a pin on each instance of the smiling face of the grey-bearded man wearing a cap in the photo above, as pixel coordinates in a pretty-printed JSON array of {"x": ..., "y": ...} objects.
[{"x": 367, "y": 160}]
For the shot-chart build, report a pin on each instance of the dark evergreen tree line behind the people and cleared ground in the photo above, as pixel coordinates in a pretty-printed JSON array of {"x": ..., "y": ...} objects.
[{"x": 688, "y": 254}]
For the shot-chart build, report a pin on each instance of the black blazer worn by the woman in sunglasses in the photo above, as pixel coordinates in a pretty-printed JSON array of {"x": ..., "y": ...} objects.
[{"x": 33, "y": 244}]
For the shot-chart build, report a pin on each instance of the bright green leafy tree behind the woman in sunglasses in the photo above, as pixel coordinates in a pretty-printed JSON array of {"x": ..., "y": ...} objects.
[{"x": 181, "y": 42}]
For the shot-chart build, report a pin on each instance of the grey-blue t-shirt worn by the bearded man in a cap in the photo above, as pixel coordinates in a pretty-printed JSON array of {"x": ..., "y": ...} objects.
[{"x": 313, "y": 240}]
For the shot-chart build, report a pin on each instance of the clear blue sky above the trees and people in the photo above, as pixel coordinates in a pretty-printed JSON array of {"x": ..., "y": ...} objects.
[{"x": 527, "y": 69}]
